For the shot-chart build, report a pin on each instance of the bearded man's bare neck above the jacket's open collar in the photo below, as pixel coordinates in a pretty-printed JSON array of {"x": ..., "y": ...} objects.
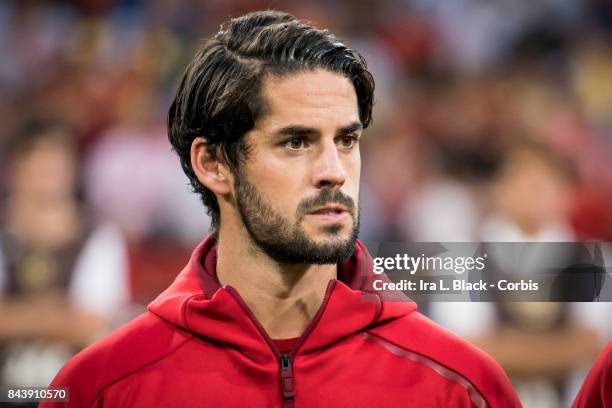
[{"x": 283, "y": 297}]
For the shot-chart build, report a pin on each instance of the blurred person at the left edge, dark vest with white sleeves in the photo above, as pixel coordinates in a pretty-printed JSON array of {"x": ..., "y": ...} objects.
[{"x": 63, "y": 279}]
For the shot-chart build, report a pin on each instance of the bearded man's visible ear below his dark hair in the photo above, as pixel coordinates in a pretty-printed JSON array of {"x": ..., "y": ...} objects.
[{"x": 211, "y": 172}]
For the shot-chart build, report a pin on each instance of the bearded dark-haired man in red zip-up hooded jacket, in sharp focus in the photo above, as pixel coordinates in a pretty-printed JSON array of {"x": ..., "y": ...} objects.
[{"x": 274, "y": 308}]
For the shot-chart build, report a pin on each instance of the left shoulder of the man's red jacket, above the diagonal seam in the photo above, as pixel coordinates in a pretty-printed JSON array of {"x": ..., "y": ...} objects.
[{"x": 142, "y": 341}]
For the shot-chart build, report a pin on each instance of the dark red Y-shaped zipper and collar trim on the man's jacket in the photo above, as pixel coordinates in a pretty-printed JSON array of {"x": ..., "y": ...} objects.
[{"x": 285, "y": 360}]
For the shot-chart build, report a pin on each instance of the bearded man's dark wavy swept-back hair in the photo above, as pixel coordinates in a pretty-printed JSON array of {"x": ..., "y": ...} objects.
[{"x": 219, "y": 96}]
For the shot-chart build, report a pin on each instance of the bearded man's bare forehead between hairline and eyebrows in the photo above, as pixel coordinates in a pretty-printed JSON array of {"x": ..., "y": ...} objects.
[{"x": 316, "y": 99}]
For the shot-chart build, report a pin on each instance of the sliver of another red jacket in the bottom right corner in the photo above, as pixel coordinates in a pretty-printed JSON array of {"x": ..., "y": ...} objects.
[{"x": 596, "y": 391}]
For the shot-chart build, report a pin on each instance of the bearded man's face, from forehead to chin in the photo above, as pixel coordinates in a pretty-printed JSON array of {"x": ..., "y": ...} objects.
[{"x": 297, "y": 193}]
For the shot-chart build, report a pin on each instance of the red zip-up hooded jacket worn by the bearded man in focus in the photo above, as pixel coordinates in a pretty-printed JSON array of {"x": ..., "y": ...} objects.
[{"x": 200, "y": 346}]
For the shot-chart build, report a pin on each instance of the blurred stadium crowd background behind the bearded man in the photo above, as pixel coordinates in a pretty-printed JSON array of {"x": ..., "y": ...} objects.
[{"x": 493, "y": 121}]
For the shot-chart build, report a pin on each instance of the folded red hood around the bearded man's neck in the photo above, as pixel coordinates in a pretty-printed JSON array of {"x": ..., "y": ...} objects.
[{"x": 197, "y": 303}]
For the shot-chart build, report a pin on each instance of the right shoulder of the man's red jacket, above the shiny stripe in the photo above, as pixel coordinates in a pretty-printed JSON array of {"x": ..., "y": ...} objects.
[{"x": 426, "y": 342}]
